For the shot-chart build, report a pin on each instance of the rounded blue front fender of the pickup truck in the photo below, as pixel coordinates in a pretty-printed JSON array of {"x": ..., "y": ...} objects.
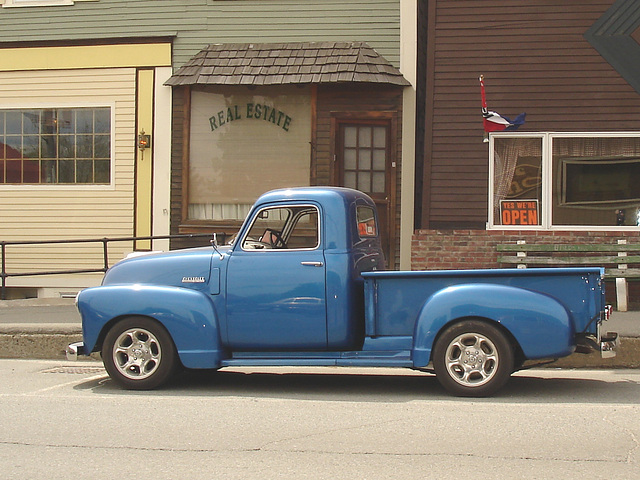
[{"x": 188, "y": 315}]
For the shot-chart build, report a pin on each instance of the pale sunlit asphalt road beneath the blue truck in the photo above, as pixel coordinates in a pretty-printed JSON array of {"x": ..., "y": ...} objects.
[{"x": 62, "y": 420}]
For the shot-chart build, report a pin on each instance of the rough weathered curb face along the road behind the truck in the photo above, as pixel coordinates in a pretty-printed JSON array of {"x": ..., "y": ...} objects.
[{"x": 49, "y": 342}]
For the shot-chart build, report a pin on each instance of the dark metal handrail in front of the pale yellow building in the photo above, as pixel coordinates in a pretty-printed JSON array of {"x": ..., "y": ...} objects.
[{"x": 105, "y": 254}]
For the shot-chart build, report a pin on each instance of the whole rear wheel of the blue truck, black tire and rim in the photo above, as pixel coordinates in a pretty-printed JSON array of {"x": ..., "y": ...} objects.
[{"x": 473, "y": 359}]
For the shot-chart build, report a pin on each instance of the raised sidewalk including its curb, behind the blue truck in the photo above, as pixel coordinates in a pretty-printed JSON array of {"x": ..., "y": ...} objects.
[{"x": 42, "y": 328}]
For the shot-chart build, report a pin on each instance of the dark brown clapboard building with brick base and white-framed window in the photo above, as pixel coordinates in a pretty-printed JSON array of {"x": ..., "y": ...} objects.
[{"x": 573, "y": 68}]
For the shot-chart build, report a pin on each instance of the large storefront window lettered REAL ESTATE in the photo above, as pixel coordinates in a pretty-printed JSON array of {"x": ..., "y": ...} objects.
[{"x": 245, "y": 142}]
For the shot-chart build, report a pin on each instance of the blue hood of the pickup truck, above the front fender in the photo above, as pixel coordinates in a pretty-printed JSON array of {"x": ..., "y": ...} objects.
[{"x": 189, "y": 268}]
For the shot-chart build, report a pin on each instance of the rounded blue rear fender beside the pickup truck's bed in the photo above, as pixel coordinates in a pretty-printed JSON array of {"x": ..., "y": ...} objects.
[{"x": 540, "y": 324}]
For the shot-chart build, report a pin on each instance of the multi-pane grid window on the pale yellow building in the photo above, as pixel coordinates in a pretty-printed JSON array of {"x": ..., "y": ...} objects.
[{"x": 55, "y": 146}]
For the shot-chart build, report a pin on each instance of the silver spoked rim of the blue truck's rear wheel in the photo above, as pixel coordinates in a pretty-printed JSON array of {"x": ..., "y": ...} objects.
[{"x": 472, "y": 359}]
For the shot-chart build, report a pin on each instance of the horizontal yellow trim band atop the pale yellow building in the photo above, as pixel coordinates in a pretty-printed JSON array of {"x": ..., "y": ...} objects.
[{"x": 89, "y": 56}]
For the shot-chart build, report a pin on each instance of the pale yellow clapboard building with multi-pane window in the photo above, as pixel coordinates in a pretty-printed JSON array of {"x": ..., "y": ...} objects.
[{"x": 71, "y": 168}]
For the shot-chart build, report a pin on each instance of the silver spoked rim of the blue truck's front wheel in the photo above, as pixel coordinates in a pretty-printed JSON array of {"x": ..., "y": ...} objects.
[{"x": 137, "y": 353}]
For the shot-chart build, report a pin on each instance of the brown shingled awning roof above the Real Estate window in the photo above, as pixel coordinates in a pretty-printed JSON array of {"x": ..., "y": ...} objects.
[{"x": 287, "y": 63}]
